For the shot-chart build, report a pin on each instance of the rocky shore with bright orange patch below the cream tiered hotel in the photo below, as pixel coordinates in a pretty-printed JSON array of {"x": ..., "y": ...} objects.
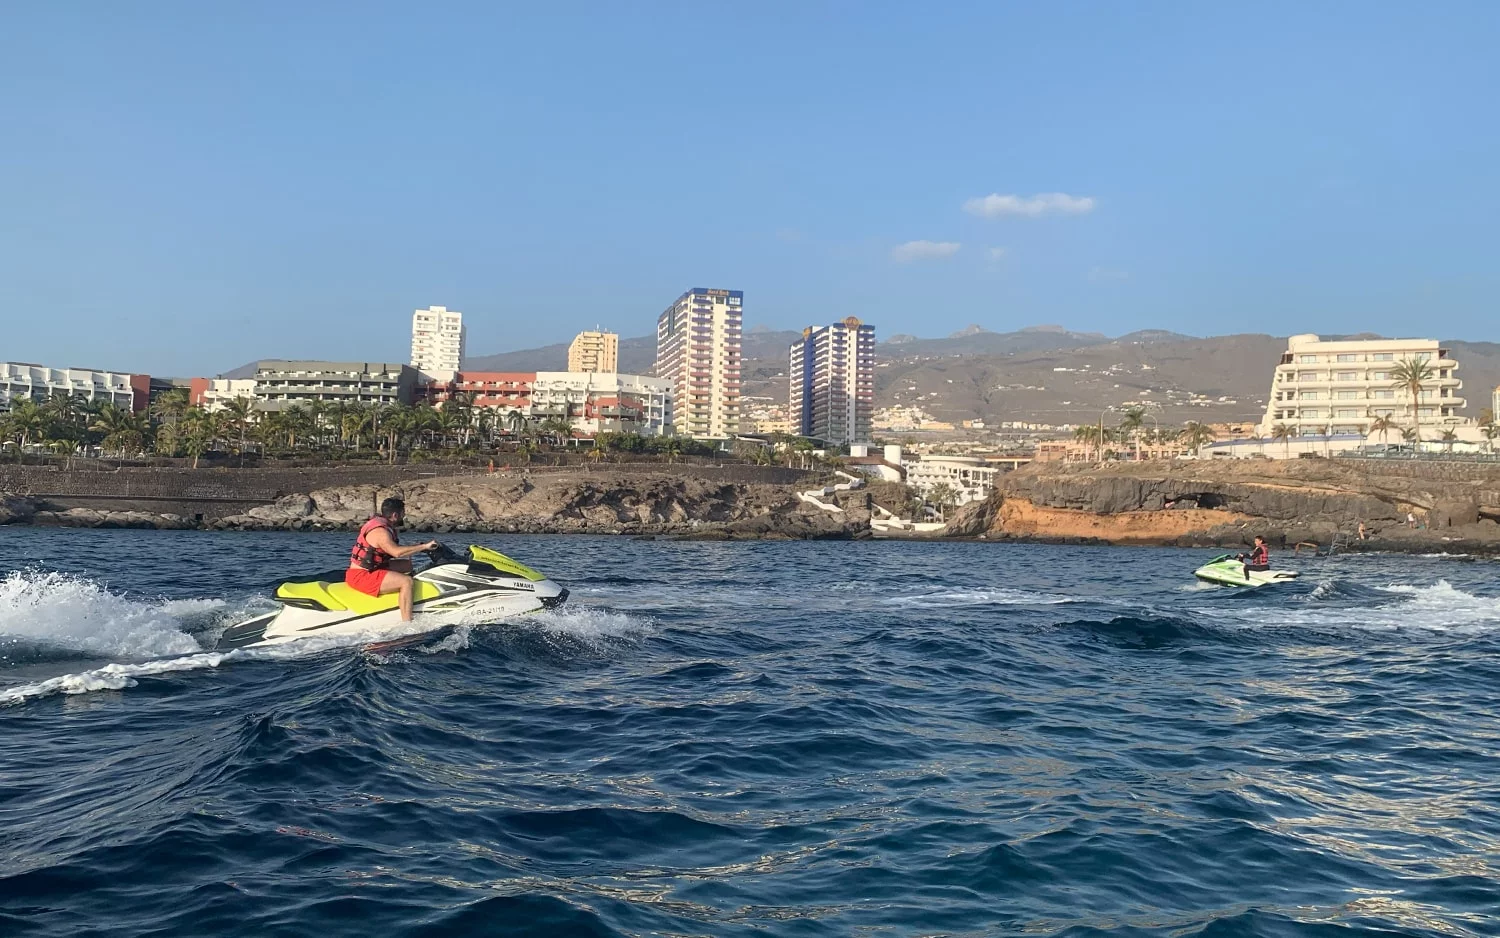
[{"x": 1199, "y": 504}]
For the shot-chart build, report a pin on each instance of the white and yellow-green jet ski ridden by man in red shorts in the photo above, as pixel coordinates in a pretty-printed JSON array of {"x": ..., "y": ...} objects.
[{"x": 484, "y": 588}]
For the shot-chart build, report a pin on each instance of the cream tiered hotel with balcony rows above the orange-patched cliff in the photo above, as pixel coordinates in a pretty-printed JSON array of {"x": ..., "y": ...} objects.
[{"x": 1345, "y": 386}]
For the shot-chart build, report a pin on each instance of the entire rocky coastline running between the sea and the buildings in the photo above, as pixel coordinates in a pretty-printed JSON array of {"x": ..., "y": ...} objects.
[{"x": 1187, "y": 505}]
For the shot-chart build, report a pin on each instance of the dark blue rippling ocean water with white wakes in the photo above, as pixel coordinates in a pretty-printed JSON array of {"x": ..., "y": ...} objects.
[{"x": 754, "y": 739}]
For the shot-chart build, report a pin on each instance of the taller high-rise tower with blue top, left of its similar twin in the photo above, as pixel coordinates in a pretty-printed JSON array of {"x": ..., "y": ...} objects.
[{"x": 698, "y": 350}]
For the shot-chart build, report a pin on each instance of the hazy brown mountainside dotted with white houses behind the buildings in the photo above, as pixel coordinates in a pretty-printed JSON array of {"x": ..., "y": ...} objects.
[{"x": 1043, "y": 374}]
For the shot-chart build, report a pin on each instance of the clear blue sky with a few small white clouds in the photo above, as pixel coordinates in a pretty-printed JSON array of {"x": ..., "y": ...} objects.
[{"x": 191, "y": 187}]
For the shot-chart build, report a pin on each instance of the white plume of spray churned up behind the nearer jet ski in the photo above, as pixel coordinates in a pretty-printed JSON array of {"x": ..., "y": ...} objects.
[{"x": 77, "y": 615}]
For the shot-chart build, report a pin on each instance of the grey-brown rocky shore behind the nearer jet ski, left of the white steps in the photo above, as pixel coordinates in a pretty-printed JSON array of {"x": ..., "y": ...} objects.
[{"x": 668, "y": 504}]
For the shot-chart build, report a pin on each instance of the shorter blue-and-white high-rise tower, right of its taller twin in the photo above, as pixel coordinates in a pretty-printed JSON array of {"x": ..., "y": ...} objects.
[{"x": 833, "y": 382}]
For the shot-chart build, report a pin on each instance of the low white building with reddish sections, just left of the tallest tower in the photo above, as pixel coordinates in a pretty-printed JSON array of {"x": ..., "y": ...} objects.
[{"x": 598, "y": 403}]
